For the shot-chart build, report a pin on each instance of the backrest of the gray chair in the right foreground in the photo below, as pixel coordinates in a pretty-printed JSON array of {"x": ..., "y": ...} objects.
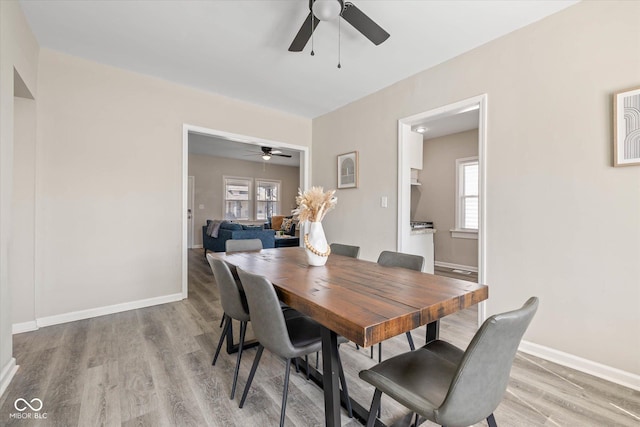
[{"x": 483, "y": 373}]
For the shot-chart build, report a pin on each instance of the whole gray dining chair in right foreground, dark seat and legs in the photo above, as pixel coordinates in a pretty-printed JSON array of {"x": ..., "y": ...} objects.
[{"x": 449, "y": 386}]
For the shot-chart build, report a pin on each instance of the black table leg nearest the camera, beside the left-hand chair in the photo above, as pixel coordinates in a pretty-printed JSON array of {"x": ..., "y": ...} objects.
[{"x": 330, "y": 378}]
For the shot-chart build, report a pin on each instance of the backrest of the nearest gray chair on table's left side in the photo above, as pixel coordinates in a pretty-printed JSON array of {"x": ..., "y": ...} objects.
[{"x": 267, "y": 319}]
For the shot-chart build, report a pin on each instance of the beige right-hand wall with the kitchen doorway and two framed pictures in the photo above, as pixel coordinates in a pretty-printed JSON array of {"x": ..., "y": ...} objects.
[{"x": 562, "y": 223}]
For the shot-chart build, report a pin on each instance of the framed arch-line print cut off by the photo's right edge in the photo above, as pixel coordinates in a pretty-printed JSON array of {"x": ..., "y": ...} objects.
[{"x": 626, "y": 127}]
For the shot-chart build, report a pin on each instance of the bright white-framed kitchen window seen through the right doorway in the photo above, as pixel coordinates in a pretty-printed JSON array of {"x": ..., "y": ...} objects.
[{"x": 467, "y": 201}]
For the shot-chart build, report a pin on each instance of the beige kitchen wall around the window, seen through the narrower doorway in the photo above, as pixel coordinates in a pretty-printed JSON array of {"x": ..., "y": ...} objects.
[{"x": 435, "y": 198}]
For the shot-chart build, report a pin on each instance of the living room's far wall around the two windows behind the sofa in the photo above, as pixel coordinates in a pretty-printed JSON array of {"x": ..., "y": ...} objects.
[{"x": 208, "y": 172}]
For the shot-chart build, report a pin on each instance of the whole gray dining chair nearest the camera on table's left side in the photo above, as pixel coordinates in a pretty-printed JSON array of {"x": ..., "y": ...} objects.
[{"x": 288, "y": 338}]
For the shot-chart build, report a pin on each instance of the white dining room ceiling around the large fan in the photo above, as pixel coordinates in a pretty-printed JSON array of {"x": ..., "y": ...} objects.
[{"x": 239, "y": 48}]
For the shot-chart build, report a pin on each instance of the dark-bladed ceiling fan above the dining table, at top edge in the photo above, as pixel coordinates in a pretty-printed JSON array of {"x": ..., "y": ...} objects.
[{"x": 325, "y": 10}]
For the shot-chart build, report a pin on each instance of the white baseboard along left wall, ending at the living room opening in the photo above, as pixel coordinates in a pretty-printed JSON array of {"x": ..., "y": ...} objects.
[{"x": 93, "y": 312}]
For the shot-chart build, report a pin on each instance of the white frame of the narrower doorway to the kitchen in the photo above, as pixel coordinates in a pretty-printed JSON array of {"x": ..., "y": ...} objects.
[{"x": 404, "y": 178}]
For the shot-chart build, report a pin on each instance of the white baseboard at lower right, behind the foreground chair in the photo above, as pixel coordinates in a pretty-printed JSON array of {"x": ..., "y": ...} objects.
[{"x": 618, "y": 376}]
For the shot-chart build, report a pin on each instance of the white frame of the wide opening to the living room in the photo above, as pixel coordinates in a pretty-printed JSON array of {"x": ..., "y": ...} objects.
[{"x": 305, "y": 176}]
